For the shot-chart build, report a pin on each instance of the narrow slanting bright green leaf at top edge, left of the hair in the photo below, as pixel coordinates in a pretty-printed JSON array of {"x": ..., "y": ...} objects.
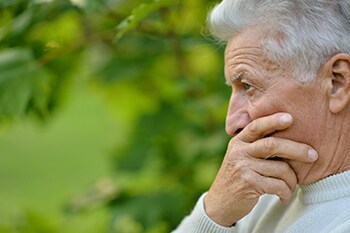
[{"x": 140, "y": 13}]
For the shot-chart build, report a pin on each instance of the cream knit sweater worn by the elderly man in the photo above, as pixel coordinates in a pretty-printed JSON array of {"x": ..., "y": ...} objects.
[{"x": 321, "y": 207}]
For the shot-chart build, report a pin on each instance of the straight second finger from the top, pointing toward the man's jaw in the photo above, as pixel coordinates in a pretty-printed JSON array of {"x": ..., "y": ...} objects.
[{"x": 271, "y": 147}]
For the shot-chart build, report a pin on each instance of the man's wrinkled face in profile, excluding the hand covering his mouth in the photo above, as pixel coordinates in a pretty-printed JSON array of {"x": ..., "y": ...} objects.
[{"x": 262, "y": 88}]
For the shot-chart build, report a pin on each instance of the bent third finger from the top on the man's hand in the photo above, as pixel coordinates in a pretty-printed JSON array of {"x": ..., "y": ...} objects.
[{"x": 278, "y": 170}]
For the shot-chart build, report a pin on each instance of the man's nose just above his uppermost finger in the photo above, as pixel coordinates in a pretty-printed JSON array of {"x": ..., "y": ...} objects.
[{"x": 237, "y": 115}]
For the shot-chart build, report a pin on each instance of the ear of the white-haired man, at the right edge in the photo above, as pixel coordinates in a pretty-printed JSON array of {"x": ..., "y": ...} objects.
[{"x": 338, "y": 70}]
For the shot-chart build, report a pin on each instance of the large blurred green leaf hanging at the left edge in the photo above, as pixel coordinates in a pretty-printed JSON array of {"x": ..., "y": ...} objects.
[{"x": 24, "y": 85}]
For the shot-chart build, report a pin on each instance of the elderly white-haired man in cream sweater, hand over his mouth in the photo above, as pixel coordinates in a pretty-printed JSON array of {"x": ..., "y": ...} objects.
[{"x": 287, "y": 167}]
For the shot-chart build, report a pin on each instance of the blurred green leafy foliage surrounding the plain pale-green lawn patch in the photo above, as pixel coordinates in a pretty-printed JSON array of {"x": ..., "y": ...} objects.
[{"x": 161, "y": 76}]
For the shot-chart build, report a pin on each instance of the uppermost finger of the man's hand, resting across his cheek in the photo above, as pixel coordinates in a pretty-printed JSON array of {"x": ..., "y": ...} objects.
[{"x": 264, "y": 126}]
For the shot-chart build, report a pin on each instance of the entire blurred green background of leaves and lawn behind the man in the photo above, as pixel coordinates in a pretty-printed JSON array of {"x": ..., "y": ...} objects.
[{"x": 111, "y": 114}]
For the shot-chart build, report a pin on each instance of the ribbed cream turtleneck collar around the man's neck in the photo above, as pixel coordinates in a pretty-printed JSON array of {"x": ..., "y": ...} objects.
[{"x": 328, "y": 189}]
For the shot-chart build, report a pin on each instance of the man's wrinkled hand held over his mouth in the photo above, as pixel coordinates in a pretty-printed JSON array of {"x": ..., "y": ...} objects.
[{"x": 247, "y": 171}]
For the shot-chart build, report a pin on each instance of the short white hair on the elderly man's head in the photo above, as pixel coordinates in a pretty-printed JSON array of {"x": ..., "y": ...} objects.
[{"x": 302, "y": 34}]
